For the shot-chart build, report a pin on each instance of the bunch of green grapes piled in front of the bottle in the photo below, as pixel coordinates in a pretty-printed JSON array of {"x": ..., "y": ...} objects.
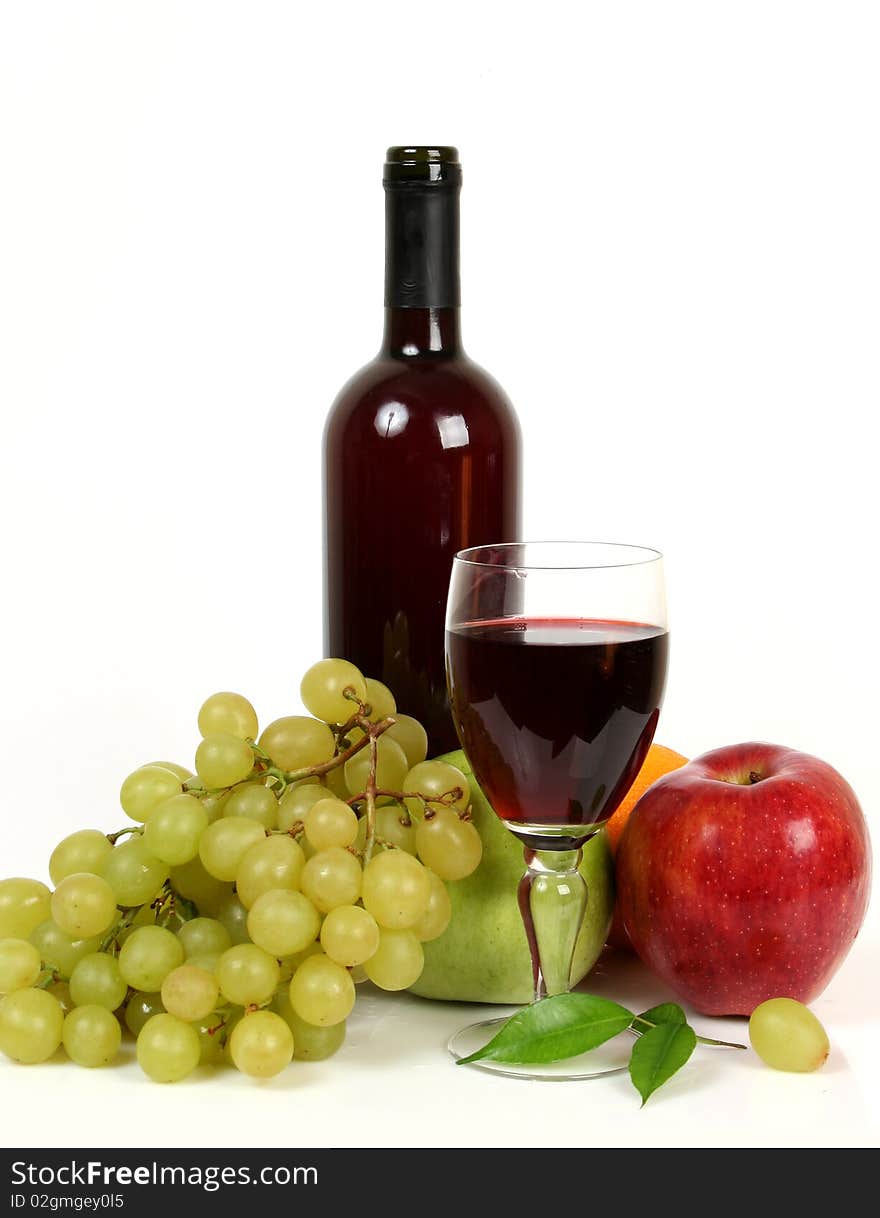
[{"x": 231, "y": 921}]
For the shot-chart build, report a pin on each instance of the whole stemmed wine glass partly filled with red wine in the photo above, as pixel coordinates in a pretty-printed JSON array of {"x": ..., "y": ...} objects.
[{"x": 556, "y": 658}]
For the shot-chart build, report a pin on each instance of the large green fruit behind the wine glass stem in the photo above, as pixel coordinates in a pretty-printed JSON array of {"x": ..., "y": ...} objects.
[{"x": 483, "y": 956}]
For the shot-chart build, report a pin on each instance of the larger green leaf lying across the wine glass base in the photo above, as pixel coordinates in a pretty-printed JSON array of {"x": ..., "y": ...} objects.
[{"x": 555, "y": 1029}]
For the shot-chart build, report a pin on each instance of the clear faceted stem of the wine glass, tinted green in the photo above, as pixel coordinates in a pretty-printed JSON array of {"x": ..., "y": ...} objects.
[{"x": 553, "y": 901}]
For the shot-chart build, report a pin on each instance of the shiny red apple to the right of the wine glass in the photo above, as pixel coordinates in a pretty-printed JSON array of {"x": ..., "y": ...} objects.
[{"x": 744, "y": 876}]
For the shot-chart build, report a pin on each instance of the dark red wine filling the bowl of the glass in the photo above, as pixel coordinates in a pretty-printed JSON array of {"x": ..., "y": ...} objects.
[{"x": 556, "y": 716}]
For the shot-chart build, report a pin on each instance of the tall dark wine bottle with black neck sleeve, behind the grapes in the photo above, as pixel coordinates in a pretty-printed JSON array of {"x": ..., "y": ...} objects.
[{"x": 421, "y": 456}]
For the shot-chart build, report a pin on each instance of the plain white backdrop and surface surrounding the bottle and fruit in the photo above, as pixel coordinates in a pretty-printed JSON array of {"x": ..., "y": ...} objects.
[{"x": 671, "y": 261}]
